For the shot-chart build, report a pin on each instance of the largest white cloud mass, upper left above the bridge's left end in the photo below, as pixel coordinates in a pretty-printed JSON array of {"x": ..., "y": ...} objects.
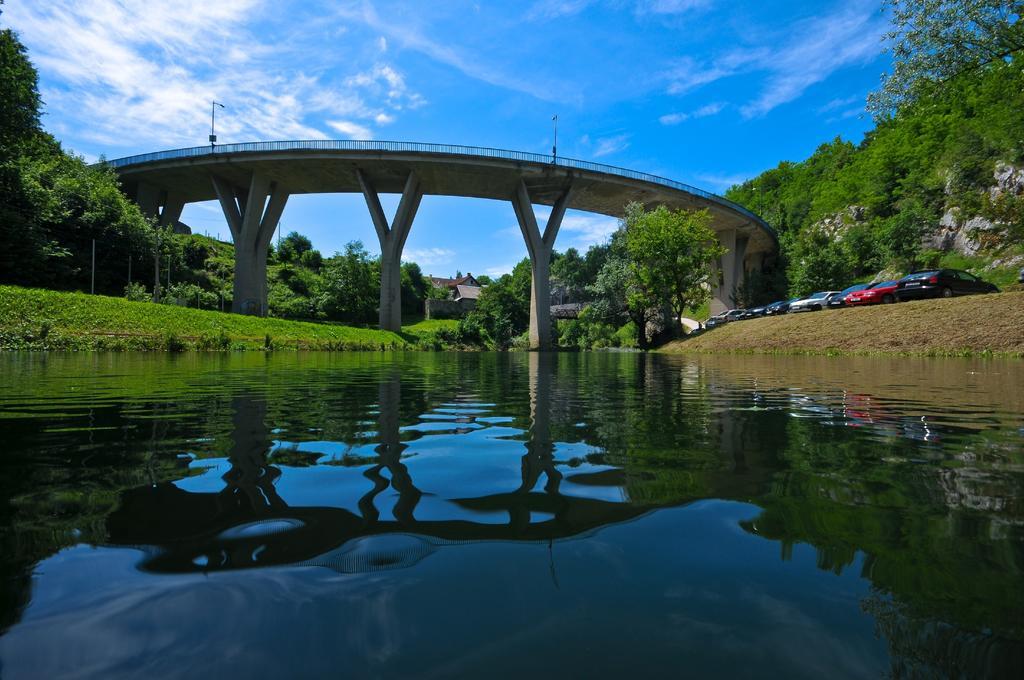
[{"x": 137, "y": 73}]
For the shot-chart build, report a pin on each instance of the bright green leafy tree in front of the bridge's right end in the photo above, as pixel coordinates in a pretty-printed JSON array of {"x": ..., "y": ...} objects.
[{"x": 671, "y": 256}]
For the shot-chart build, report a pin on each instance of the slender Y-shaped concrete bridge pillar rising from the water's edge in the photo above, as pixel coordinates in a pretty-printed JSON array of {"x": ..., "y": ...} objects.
[{"x": 539, "y": 246}]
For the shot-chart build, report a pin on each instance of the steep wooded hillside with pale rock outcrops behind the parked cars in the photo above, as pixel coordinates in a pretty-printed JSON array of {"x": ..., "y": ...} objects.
[{"x": 942, "y": 184}]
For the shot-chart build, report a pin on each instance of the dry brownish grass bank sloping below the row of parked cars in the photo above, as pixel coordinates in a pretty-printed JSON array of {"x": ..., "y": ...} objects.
[{"x": 967, "y": 326}]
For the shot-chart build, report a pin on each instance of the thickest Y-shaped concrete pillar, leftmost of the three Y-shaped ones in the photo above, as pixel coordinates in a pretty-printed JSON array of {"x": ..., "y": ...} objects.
[{"x": 252, "y": 216}]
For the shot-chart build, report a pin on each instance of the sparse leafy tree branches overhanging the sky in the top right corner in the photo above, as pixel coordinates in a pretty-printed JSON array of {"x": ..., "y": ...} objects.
[{"x": 934, "y": 41}]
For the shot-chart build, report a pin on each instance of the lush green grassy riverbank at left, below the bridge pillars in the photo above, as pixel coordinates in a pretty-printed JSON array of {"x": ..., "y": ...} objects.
[{"x": 42, "y": 320}]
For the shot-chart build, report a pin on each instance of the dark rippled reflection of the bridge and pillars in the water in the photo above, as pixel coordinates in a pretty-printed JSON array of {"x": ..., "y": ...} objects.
[{"x": 249, "y": 525}]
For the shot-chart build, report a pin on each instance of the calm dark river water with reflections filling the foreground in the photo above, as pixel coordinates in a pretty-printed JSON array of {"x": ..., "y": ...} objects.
[{"x": 503, "y": 516}]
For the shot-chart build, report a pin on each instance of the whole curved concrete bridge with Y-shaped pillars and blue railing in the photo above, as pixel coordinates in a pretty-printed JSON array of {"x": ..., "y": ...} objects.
[{"x": 252, "y": 182}]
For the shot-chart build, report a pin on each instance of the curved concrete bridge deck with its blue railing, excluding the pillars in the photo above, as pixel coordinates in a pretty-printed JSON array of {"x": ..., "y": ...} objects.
[{"x": 329, "y": 166}]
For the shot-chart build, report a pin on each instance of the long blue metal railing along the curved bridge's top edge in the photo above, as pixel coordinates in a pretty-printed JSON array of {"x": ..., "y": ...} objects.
[{"x": 426, "y": 148}]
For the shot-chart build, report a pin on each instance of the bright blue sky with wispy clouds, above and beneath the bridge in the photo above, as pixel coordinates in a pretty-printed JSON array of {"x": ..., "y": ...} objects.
[{"x": 709, "y": 93}]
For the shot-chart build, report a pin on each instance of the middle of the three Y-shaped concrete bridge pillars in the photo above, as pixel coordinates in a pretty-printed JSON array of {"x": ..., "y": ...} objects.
[{"x": 393, "y": 241}]
